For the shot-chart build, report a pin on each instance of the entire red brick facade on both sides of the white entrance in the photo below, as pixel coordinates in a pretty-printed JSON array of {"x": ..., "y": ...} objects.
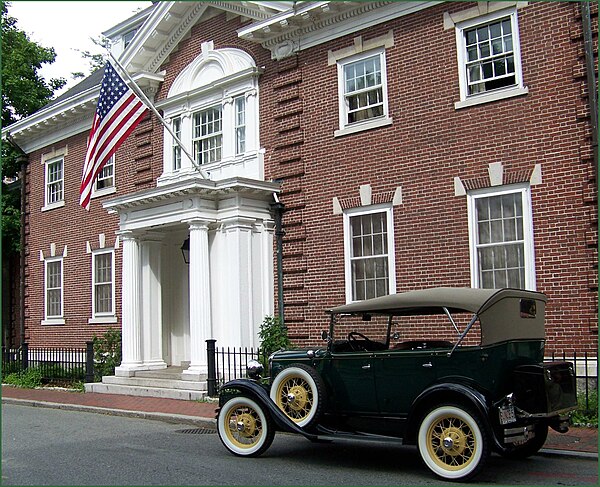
[{"x": 428, "y": 145}]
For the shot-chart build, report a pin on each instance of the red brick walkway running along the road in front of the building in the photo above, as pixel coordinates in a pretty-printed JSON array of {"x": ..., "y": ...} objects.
[{"x": 576, "y": 440}]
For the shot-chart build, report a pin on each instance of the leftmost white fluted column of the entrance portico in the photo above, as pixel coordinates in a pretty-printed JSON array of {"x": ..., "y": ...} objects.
[{"x": 130, "y": 308}]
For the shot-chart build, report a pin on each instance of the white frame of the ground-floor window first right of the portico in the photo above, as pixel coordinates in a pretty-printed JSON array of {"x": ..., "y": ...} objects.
[{"x": 387, "y": 209}]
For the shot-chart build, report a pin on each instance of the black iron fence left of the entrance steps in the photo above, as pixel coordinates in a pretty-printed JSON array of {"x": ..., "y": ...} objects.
[{"x": 55, "y": 364}]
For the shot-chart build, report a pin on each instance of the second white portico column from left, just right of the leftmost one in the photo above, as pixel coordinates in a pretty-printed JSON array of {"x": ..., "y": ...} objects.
[{"x": 151, "y": 306}]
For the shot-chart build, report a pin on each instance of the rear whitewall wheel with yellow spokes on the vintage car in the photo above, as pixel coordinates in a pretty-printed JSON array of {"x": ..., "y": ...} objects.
[{"x": 453, "y": 442}]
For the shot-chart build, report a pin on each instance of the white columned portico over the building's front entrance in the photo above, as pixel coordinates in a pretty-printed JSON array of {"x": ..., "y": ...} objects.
[{"x": 171, "y": 308}]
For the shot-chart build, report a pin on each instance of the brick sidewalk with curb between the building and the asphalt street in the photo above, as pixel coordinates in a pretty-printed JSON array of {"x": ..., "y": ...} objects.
[{"x": 578, "y": 441}]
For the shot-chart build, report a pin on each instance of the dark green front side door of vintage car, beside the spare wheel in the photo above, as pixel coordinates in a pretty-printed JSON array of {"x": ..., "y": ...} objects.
[{"x": 350, "y": 377}]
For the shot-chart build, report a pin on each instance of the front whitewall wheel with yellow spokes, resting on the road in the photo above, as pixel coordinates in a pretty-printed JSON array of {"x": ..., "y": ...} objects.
[{"x": 244, "y": 428}]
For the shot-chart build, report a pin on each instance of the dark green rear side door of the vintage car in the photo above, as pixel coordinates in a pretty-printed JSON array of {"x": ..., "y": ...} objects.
[{"x": 400, "y": 376}]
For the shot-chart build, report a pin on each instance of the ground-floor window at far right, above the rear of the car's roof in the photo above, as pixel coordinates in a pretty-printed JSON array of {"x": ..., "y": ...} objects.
[{"x": 502, "y": 239}]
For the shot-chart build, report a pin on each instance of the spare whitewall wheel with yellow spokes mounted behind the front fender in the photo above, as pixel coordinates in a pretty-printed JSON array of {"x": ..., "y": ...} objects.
[{"x": 298, "y": 392}]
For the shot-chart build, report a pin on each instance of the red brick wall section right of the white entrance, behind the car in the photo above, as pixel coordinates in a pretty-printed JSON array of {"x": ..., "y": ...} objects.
[{"x": 428, "y": 145}]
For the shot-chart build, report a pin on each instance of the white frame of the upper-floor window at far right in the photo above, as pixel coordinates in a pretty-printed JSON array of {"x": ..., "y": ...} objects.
[{"x": 517, "y": 89}]
